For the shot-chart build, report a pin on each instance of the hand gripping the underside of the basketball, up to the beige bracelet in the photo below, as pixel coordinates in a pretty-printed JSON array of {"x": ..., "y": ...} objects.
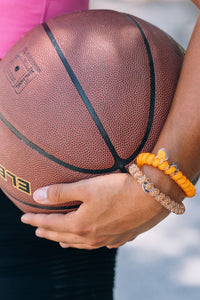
[{"x": 114, "y": 210}]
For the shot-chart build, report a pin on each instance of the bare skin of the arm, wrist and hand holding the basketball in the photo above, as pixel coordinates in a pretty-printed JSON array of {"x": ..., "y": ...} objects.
[{"x": 114, "y": 207}]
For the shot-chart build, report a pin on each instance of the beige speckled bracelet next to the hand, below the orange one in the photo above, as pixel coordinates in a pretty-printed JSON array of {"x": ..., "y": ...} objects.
[{"x": 148, "y": 187}]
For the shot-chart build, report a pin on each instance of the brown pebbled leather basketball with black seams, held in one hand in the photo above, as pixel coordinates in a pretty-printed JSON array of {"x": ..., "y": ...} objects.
[{"x": 80, "y": 96}]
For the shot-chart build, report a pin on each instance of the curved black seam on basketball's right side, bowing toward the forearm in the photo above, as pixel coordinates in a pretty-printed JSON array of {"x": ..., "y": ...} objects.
[{"x": 152, "y": 92}]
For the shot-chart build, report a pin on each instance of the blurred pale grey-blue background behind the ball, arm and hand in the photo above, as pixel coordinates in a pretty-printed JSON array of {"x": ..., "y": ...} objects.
[{"x": 163, "y": 263}]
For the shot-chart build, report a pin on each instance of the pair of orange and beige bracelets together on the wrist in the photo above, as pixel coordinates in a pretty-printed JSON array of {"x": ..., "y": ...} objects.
[{"x": 160, "y": 161}]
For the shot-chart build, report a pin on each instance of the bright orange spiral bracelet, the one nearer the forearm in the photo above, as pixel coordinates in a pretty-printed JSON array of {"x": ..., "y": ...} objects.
[{"x": 160, "y": 161}]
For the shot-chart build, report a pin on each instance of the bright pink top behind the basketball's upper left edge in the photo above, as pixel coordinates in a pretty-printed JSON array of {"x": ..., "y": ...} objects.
[{"x": 19, "y": 16}]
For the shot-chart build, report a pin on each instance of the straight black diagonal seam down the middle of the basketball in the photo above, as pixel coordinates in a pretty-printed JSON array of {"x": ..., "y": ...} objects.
[{"x": 81, "y": 92}]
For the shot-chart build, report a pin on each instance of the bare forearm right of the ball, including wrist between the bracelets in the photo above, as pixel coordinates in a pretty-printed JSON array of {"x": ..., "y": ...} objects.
[{"x": 181, "y": 133}]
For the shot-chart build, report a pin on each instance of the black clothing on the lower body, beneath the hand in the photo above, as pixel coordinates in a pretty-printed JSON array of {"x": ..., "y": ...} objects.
[{"x": 33, "y": 268}]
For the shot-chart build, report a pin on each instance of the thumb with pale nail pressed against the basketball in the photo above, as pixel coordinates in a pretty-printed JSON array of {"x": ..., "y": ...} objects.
[{"x": 59, "y": 193}]
